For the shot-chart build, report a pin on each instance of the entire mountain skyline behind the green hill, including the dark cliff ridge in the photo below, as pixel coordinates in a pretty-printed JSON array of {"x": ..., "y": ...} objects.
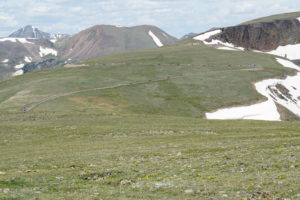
[{"x": 279, "y": 35}]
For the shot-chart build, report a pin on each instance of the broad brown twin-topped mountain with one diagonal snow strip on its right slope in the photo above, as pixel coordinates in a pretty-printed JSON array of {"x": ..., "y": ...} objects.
[{"x": 105, "y": 39}]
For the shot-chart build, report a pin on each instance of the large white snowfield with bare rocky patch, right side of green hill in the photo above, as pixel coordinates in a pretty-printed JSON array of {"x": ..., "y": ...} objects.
[{"x": 284, "y": 92}]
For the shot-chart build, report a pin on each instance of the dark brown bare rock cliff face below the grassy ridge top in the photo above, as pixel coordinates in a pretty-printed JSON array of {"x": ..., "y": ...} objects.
[{"x": 263, "y": 36}]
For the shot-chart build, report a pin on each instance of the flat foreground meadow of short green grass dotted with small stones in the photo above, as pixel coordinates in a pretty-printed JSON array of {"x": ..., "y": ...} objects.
[{"x": 94, "y": 156}]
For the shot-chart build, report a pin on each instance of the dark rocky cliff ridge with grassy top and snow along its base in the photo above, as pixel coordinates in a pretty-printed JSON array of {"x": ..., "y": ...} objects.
[{"x": 278, "y": 35}]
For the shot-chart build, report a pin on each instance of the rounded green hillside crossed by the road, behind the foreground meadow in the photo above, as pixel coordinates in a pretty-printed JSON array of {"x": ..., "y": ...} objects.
[{"x": 201, "y": 79}]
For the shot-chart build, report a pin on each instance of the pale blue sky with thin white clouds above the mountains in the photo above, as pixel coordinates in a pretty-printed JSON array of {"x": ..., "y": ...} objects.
[{"x": 177, "y": 17}]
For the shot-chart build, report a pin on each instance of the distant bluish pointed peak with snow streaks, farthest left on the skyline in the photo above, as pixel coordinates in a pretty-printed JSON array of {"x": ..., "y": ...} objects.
[{"x": 30, "y": 32}]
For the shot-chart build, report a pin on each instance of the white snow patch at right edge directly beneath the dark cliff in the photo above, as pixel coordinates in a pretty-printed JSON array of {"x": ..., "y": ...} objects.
[{"x": 291, "y": 51}]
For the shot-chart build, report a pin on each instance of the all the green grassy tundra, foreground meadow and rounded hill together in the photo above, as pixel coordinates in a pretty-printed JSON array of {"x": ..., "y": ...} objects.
[{"x": 146, "y": 141}]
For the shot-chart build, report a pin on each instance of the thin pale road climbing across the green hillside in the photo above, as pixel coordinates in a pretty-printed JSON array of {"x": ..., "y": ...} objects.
[{"x": 33, "y": 105}]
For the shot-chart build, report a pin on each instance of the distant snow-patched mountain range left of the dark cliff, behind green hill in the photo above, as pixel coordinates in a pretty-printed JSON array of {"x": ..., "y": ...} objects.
[{"x": 29, "y": 48}]
